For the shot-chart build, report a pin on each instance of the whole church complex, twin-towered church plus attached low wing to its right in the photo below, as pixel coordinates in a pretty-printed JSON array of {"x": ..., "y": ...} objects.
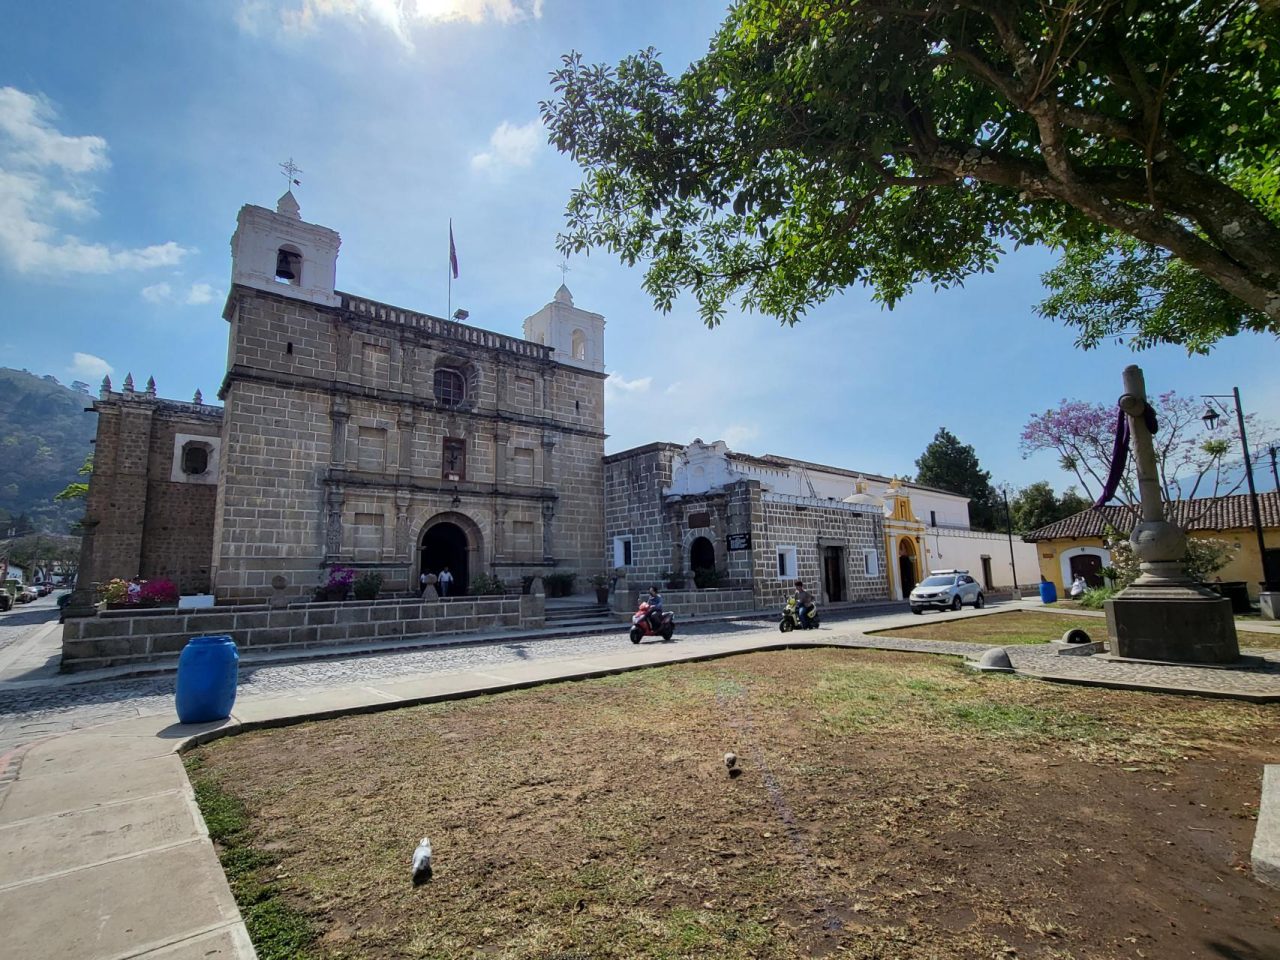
[{"x": 360, "y": 435}]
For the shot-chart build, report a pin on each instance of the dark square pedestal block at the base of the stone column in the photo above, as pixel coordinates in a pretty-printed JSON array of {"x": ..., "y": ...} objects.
[{"x": 1172, "y": 623}]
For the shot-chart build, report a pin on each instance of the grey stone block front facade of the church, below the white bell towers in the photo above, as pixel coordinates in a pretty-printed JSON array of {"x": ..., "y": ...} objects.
[{"x": 335, "y": 412}]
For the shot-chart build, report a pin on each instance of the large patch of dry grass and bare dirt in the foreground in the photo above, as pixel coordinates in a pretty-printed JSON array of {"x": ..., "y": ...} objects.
[{"x": 890, "y": 806}]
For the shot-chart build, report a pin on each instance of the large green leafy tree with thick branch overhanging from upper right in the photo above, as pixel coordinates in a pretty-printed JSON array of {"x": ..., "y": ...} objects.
[{"x": 890, "y": 143}]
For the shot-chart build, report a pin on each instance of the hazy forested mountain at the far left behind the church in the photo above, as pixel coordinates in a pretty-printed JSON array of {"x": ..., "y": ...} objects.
[{"x": 45, "y": 435}]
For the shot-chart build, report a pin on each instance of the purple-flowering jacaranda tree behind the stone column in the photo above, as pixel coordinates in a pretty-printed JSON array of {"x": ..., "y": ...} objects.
[{"x": 1191, "y": 463}]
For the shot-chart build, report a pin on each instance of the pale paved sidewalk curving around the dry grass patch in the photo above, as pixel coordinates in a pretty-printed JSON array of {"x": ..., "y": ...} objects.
[{"x": 104, "y": 856}]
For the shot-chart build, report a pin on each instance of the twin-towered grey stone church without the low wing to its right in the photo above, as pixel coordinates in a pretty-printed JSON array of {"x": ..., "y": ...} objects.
[{"x": 354, "y": 433}]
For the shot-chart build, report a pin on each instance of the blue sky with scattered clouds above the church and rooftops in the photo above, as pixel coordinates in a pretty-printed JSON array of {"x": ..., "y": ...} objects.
[{"x": 131, "y": 135}]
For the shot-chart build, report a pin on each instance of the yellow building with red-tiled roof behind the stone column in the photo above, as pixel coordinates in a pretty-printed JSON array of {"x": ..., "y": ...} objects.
[{"x": 1077, "y": 546}]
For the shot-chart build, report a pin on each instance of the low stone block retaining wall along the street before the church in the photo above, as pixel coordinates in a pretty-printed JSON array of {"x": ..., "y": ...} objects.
[{"x": 126, "y": 638}]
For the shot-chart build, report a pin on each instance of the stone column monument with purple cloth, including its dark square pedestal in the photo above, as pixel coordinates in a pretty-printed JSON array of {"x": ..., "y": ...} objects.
[{"x": 1164, "y": 615}]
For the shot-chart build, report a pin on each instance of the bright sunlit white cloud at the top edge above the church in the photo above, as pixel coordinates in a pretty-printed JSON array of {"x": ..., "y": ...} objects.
[{"x": 399, "y": 17}]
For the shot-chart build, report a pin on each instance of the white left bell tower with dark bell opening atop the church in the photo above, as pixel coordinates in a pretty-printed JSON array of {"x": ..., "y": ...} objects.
[{"x": 280, "y": 253}]
